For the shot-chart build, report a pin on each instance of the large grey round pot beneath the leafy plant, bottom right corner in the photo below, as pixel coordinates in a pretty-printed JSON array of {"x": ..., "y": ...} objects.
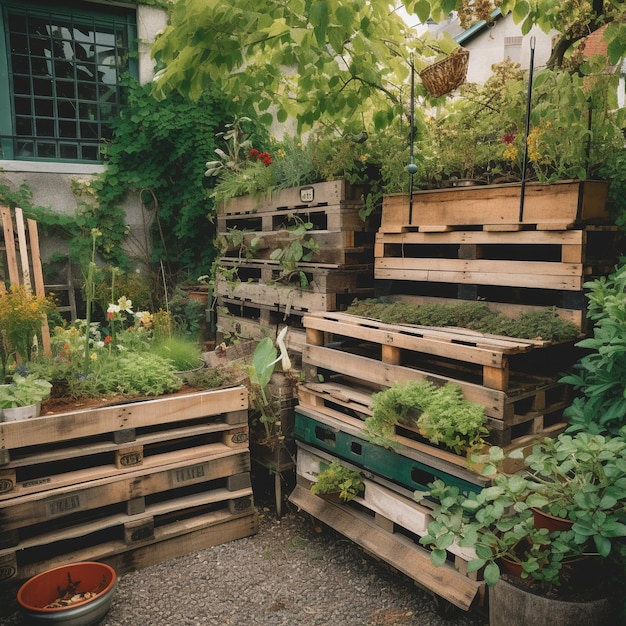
[{"x": 510, "y": 605}]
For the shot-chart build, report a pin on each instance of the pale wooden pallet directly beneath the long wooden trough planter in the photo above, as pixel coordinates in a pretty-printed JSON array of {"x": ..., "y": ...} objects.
[{"x": 526, "y": 259}]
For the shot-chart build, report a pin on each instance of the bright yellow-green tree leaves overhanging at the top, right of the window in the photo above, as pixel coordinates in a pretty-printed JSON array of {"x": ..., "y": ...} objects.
[{"x": 346, "y": 57}]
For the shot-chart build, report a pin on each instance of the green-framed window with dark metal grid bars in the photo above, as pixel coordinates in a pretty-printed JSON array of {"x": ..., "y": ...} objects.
[{"x": 61, "y": 68}]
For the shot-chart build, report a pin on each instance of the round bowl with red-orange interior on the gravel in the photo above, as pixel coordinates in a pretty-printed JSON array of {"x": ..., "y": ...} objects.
[{"x": 41, "y": 590}]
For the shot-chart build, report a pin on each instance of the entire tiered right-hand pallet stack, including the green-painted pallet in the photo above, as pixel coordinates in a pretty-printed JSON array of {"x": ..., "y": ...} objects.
[{"x": 445, "y": 246}]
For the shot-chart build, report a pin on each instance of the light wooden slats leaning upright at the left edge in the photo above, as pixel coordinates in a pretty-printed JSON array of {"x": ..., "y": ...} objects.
[{"x": 23, "y": 260}]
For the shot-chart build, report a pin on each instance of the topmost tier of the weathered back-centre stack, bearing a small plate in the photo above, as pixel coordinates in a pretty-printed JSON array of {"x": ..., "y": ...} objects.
[{"x": 336, "y": 192}]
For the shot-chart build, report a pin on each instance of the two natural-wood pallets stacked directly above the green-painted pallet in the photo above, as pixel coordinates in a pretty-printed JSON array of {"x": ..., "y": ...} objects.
[{"x": 512, "y": 378}]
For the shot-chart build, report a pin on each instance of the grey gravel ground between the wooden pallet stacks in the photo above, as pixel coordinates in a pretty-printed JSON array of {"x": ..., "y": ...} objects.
[{"x": 292, "y": 572}]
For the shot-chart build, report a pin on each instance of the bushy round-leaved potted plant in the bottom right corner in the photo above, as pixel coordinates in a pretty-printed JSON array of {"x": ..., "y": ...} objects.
[{"x": 498, "y": 522}]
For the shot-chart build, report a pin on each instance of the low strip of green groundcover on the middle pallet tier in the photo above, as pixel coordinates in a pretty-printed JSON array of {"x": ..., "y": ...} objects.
[{"x": 542, "y": 324}]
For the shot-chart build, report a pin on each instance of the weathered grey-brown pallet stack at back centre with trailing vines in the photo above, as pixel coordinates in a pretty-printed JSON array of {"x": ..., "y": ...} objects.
[{"x": 256, "y": 293}]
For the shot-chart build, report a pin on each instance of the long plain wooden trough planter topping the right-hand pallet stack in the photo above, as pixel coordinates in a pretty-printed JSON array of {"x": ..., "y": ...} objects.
[{"x": 557, "y": 206}]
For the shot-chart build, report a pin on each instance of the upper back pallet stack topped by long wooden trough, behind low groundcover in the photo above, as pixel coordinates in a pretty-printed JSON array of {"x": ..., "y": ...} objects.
[{"x": 478, "y": 243}]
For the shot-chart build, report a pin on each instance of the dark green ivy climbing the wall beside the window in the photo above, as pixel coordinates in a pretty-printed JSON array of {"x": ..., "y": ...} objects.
[{"x": 159, "y": 150}]
